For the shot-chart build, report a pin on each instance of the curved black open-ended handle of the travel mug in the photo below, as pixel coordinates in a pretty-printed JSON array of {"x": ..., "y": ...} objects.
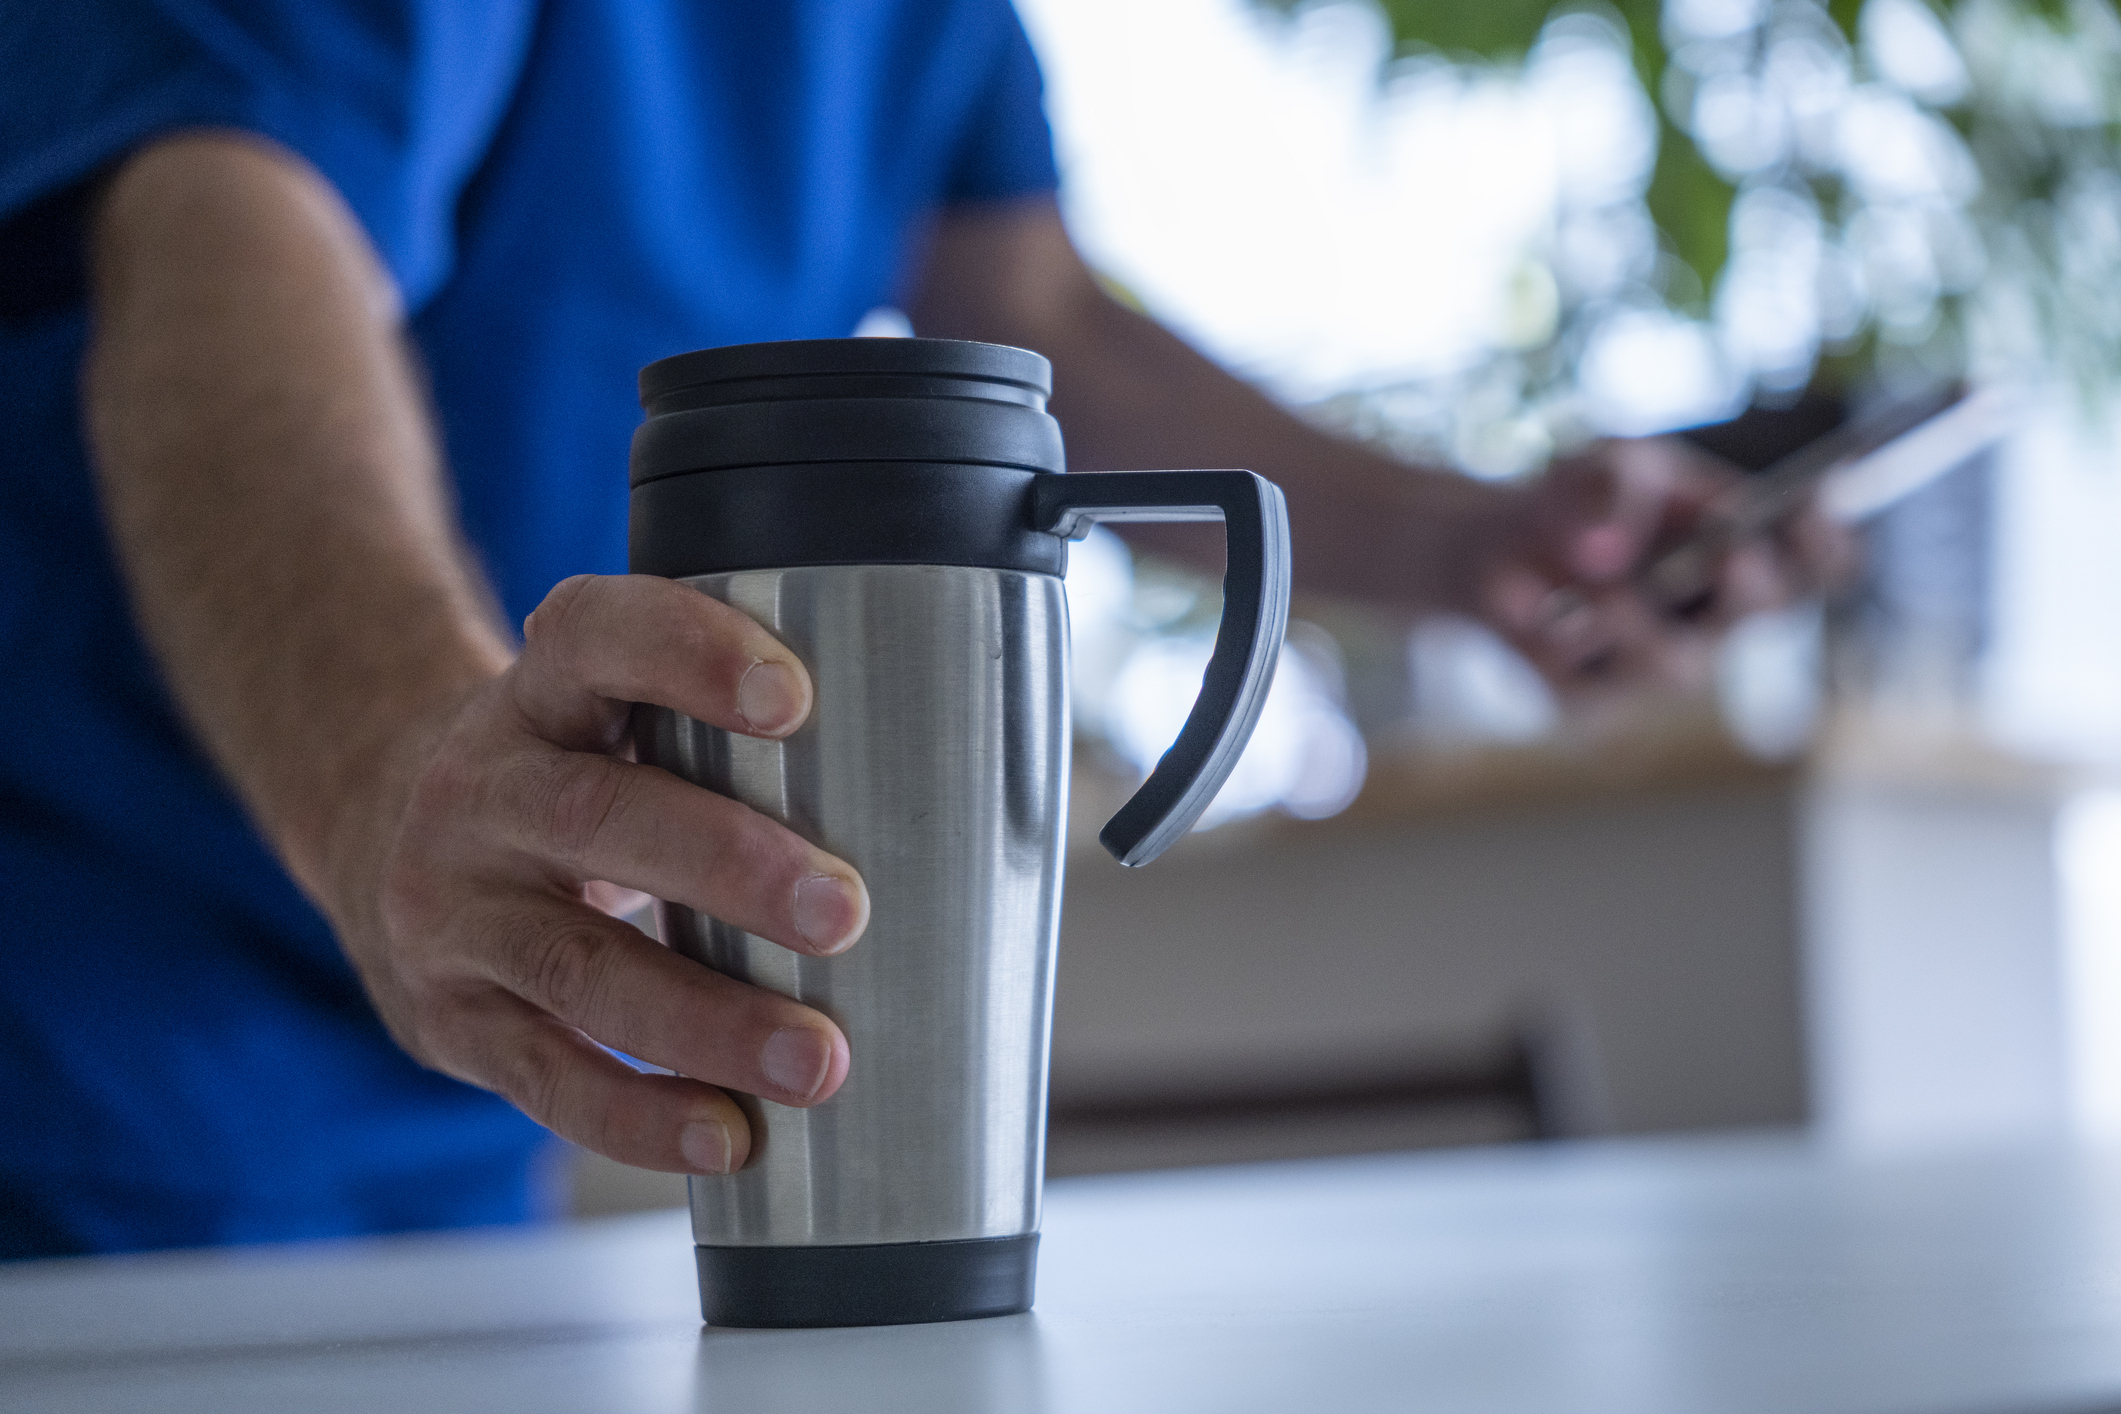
[{"x": 1248, "y": 643}]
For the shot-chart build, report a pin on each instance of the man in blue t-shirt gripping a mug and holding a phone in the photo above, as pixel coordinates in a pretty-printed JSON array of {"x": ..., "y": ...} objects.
[{"x": 319, "y": 330}]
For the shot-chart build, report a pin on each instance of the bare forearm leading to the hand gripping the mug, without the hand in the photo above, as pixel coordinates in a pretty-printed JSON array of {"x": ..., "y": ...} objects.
[{"x": 273, "y": 484}]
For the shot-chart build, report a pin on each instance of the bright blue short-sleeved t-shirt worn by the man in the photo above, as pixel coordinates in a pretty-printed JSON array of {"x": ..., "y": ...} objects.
[{"x": 565, "y": 190}]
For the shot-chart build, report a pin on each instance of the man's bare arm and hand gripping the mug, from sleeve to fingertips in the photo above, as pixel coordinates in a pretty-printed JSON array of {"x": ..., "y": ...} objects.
[{"x": 277, "y": 501}]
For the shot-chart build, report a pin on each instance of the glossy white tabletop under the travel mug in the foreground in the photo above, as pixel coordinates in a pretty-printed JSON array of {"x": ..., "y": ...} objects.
[{"x": 1687, "y": 1277}]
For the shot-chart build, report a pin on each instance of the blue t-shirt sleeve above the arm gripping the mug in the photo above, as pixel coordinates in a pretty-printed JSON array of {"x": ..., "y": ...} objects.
[{"x": 391, "y": 101}]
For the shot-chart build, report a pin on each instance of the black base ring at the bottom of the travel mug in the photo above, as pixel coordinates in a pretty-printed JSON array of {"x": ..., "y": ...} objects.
[{"x": 888, "y": 1284}]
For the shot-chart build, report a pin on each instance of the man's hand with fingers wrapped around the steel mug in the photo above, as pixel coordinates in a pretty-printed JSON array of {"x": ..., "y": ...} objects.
[{"x": 489, "y": 964}]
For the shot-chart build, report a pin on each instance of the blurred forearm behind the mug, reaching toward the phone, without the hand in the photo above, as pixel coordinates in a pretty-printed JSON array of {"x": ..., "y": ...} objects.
[{"x": 1136, "y": 395}]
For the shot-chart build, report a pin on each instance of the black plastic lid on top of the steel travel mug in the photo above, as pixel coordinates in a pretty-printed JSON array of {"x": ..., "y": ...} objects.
[{"x": 843, "y": 453}]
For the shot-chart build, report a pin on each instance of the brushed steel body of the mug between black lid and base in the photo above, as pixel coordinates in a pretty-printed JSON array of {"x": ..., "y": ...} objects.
[{"x": 936, "y": 764}]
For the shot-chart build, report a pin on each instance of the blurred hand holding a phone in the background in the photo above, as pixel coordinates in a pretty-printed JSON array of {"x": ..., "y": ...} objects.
[{"x": 1564, "y": 571}]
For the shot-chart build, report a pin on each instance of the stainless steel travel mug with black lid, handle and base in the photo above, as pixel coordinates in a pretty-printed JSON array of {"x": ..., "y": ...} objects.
[{"x": 896, "y": 512}]
